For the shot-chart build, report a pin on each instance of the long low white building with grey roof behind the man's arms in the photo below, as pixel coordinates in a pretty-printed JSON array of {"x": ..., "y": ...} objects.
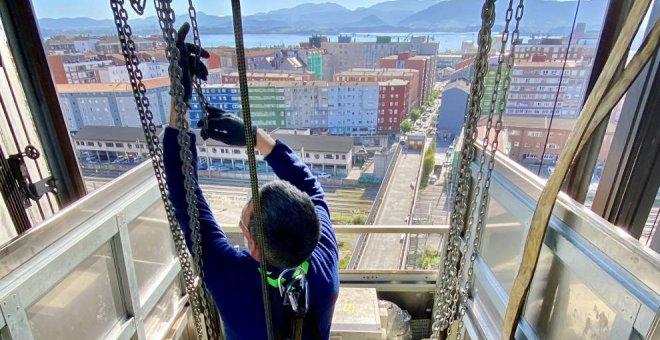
[{"x": 329, "y": 154}]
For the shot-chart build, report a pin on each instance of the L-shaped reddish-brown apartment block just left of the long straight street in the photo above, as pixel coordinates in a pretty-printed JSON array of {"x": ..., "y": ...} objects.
[{"x": 423, "y": 64}]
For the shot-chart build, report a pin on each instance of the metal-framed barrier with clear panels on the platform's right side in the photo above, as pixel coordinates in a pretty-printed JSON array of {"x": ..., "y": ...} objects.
[{"x": 593, "y": 279}]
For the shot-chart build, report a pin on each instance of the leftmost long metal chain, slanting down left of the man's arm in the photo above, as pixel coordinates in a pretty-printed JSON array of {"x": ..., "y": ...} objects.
[{"x": 124, "y": 34}]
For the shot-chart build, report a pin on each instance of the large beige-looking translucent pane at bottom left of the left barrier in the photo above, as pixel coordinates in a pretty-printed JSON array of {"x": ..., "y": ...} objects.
[{"x": 85, "y": 305}]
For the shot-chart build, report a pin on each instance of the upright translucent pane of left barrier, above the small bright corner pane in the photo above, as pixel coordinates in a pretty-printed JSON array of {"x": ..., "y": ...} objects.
[{"x": 152, "y": 246}]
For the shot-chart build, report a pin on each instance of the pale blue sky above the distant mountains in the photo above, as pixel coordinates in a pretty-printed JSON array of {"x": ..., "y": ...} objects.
[{"x": 100, "y": 9}]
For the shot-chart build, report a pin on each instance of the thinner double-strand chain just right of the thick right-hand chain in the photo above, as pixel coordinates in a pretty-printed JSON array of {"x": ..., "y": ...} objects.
[{"x": 479, "y": 193}]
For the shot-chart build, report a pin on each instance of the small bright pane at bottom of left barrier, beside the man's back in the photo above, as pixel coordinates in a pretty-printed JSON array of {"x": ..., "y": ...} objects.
[{"x": 159, "y": 319}]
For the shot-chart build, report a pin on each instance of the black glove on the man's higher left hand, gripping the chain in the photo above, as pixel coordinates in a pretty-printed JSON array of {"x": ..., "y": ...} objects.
[{"x": 190, "y": 65}]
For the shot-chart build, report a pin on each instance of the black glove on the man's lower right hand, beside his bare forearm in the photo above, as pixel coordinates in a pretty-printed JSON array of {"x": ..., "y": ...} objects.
[{"x": 224, "y": 127}]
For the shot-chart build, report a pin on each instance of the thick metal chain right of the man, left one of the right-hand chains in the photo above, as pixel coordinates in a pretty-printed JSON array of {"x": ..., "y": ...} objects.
[{"x": 449, "y": 281}]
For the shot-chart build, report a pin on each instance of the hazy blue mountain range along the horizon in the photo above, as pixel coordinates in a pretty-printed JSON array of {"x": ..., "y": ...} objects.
[{"x": 540, "y": 16}]
